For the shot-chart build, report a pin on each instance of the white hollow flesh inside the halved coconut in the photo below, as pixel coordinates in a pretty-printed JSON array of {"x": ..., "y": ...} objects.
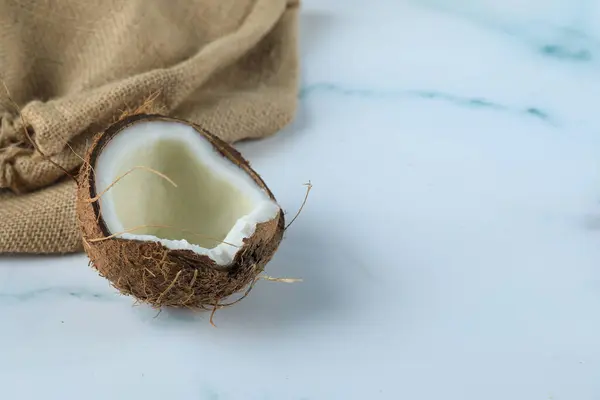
[{"x": 213, "y": 208}]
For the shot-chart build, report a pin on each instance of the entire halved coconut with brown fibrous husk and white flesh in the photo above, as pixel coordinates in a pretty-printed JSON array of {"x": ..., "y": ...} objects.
[{"x": 190, "y": 245}]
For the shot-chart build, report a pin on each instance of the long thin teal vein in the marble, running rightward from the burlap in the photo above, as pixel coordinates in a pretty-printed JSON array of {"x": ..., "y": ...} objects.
[{"x": 461, "y": 101}]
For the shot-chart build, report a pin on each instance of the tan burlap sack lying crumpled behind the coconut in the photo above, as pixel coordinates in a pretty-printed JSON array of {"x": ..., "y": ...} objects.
[{"x": 74, "y": 65}]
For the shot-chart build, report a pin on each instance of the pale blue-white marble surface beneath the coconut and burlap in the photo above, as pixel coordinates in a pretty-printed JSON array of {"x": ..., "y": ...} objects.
[{"x": 450, "y": 248}]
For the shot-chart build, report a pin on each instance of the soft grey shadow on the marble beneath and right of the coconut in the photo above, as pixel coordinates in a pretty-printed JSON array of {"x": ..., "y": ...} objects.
[{"x": 275, "y": 306}]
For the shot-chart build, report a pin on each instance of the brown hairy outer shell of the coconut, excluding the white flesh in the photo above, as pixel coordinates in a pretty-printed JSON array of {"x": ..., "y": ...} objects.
[{"x": 159, "y": 276}]
